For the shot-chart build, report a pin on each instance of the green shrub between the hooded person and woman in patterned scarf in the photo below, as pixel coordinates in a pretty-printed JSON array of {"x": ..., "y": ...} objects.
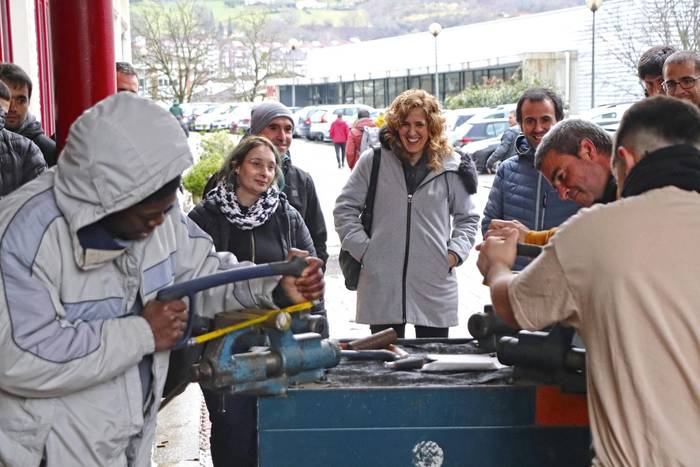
[{"x": 215, "y": 148}]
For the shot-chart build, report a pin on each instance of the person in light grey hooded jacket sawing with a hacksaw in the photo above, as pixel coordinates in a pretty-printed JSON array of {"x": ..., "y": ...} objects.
[{"x": 83, "y": 253}]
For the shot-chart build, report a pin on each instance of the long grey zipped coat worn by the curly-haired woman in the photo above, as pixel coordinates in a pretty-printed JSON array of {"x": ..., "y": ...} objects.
[{"x": 405, "y": 275}]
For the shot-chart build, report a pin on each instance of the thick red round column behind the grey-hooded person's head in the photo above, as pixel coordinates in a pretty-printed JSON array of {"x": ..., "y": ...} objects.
[{"x": 87, "y": 77}]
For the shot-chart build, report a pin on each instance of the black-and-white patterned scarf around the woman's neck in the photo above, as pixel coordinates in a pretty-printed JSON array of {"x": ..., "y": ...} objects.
[{"x": 245, "y": 219}]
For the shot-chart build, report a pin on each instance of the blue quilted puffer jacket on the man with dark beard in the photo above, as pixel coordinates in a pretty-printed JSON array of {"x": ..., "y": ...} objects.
[{"x": 522, "y": 193}]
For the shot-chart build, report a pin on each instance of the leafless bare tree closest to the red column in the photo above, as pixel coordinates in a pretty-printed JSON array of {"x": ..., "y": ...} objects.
[{"x": 175, "y": 37}]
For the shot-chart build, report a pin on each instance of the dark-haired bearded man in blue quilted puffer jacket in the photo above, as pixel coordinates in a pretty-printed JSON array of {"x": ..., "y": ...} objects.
[{"x": 519, "y": 191}]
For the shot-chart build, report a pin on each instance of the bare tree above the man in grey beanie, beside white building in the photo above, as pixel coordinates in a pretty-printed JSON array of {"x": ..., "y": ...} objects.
[{"x": 263, "y": 53}]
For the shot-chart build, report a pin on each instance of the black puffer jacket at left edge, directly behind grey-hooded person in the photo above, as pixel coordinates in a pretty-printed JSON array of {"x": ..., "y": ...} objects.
[{"x": 20, "y": 161}]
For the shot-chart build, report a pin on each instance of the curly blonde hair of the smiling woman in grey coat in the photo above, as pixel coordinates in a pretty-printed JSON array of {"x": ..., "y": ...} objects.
[{"x": 437, "y": 148}]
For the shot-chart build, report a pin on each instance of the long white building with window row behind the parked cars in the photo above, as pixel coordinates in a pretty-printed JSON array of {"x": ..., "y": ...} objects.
[{"x": 553, "y": 48}]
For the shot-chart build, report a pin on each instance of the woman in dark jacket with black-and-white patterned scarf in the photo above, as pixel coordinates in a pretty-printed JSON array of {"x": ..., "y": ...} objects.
[{"x": 246, "y": 214}]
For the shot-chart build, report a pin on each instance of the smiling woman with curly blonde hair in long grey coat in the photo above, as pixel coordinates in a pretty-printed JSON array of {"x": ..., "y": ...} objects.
[{"x": 424, "y": 222}]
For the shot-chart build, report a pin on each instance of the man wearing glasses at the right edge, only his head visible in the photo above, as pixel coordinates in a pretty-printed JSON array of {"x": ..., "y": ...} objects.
[{"x": 682, "y": 76}]
